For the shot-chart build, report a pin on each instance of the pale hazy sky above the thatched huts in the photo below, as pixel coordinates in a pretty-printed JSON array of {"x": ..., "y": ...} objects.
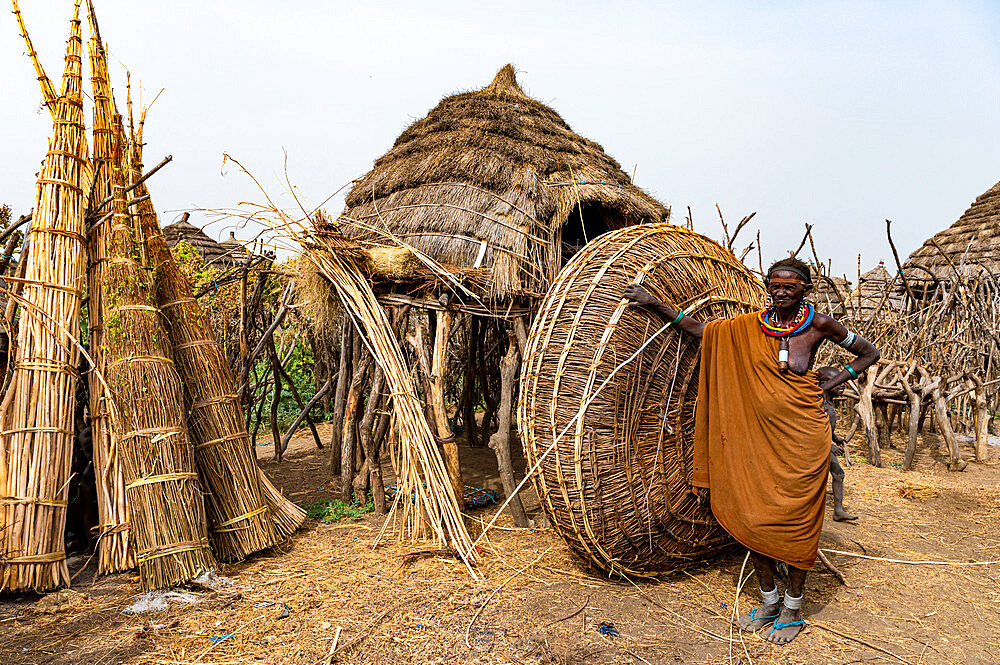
[{"x": 839, "y": 114}]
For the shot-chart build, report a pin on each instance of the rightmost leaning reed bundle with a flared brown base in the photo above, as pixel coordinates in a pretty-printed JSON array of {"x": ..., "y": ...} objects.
[{"x": 245, "y": 510}]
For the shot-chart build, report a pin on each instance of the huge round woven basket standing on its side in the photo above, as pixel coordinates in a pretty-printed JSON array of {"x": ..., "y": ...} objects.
[{"x": 616, "y": 484}]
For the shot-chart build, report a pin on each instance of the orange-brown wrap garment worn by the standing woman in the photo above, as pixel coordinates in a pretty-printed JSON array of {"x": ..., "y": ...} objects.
[{"x": 762, "y": 443}]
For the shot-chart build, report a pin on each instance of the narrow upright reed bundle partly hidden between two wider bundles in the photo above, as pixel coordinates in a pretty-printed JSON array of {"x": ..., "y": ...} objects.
[{"x": 114, "y": 551}]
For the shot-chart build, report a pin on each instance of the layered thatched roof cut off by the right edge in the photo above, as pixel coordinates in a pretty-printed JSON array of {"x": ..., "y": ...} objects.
[{"x": 972, "y": 243}]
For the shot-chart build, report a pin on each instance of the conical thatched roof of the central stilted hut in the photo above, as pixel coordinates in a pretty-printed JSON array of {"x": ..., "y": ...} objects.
[{"x": 489, "y": 178}]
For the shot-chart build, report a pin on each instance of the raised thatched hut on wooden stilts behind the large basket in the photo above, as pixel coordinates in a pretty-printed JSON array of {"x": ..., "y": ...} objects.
[{"x": 495, "y": 188}]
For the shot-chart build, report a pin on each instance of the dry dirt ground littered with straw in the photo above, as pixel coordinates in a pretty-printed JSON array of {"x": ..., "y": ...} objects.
[{"x": 536, "y": 603}]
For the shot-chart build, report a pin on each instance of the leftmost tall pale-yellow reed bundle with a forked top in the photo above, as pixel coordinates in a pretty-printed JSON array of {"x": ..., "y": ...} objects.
[{"x": 38, "y": 411}]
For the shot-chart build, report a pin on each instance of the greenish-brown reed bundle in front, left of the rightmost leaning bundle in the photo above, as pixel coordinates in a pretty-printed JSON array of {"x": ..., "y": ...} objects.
[{"x": 167, "y": 511}]
